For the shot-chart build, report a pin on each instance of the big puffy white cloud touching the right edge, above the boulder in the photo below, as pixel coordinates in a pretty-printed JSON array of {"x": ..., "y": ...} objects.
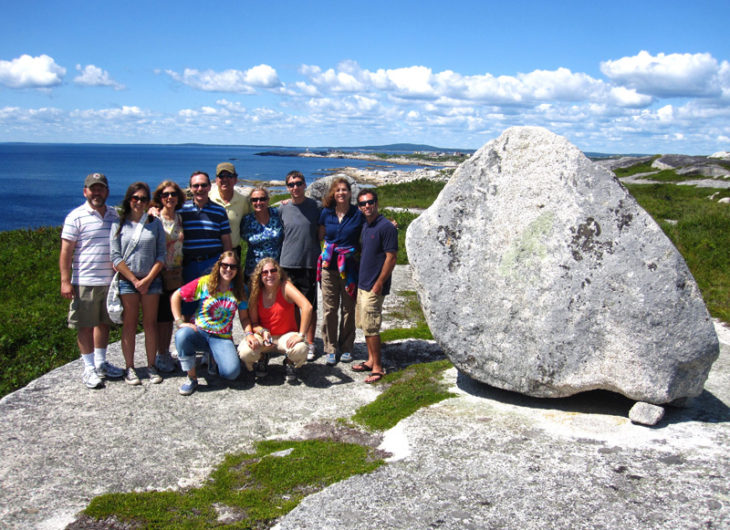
[{"x": 672, "y": 75}]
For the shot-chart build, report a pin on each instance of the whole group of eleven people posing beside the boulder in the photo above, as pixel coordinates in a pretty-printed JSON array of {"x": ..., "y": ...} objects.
[{"x": 180, "y": 262}]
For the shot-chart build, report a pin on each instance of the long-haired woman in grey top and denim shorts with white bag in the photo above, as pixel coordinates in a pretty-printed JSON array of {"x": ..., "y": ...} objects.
[{"x": 139, "y": 266}]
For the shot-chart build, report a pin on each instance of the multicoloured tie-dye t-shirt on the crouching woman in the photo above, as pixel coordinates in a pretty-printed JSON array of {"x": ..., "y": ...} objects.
[{"x": 215, "y": 313}]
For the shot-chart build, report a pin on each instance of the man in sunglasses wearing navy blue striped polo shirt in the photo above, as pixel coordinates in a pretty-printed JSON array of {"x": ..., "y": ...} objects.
[{"x": 207, "y": 233}]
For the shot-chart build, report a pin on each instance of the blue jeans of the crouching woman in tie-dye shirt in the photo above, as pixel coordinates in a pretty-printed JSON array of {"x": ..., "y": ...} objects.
[{"x": 188, "y": 341}]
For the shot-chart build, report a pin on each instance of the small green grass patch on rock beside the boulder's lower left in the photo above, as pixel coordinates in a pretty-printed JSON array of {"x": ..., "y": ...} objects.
[{"x": 417, "y": 386}]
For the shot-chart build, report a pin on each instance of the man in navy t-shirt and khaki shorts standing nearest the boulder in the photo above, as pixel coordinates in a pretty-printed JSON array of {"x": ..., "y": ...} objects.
[{"x": 379, "y": 250}]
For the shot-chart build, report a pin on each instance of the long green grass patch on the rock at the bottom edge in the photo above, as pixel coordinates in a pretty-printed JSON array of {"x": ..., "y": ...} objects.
[{"x": 258, "y": 487}]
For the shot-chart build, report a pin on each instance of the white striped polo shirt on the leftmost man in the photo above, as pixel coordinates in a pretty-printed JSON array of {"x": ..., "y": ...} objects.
[{"x": 85, "y": 227}]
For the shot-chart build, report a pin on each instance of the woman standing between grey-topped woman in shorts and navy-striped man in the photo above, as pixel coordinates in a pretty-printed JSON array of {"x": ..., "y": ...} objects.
[{"x": 167, "y": 200}]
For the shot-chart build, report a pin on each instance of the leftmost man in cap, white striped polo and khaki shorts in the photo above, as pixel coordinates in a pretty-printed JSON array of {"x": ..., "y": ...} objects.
[{"x": 86, "y": 272}]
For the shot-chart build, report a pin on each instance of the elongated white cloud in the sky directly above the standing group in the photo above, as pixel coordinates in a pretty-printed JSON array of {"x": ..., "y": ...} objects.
[{"x": 245, "y": 82}]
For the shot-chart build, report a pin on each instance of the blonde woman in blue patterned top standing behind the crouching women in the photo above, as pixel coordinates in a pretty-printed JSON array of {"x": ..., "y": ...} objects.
[{"x": 262, "y": 230}]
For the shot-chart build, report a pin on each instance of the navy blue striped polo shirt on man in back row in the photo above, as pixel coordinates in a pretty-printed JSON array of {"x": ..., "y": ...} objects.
[{"x": 203, "y": 228}]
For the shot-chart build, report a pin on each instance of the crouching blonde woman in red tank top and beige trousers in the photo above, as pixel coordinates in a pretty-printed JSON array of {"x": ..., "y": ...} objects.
[{"x": 273, "y": 321}]
